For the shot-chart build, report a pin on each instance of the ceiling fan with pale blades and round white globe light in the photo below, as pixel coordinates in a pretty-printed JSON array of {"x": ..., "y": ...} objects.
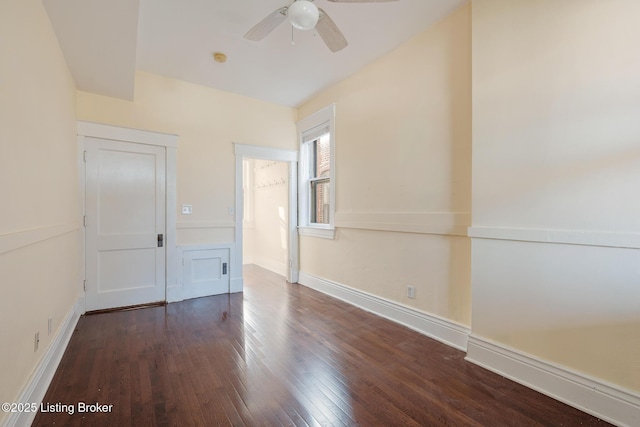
[{"x": 304, "y": 15}]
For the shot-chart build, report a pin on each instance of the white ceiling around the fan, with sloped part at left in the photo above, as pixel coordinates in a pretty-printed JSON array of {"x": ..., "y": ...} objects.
[{"x": 105, "y": 41}]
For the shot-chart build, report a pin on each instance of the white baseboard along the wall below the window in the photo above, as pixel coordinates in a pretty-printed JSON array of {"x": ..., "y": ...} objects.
[{"x": 443, "y": 330}]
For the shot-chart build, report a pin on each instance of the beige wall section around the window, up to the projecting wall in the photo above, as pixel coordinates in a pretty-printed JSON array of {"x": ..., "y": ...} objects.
[{"x": 403, "y": 160}]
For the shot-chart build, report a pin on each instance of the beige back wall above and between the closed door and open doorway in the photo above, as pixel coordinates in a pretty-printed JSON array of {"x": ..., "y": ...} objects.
[{"x": 208, "y": 122}]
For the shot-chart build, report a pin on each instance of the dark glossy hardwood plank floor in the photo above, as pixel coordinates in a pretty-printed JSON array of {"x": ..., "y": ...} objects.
[{"x": 279, "y": 354}]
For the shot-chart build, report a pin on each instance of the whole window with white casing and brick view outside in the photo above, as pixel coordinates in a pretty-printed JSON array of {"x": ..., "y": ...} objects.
[{"x": 317, "y": 182}]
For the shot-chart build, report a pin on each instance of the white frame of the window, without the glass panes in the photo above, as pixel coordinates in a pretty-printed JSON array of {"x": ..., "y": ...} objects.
[{"x": 312, "y": 124}]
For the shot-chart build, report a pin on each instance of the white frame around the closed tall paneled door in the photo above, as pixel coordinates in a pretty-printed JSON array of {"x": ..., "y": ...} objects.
[{"x": 136, "y": 136}]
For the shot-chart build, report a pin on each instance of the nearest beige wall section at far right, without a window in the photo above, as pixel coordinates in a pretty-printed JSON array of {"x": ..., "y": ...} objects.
[{"x": 556, "y": 159}]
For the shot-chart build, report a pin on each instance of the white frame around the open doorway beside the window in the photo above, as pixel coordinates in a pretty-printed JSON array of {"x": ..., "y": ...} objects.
[{"x": 243, "y": 151}]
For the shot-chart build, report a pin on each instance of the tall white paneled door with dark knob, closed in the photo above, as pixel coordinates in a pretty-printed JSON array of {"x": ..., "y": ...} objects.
[{"x": 125, "y": 223}]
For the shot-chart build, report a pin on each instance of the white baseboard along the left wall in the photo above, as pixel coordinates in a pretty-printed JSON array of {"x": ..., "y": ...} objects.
[{"x": 38, "y": 384}]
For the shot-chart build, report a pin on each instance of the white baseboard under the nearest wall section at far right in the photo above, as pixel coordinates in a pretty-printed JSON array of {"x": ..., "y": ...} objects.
[{"x": 595, "y": 397}]
